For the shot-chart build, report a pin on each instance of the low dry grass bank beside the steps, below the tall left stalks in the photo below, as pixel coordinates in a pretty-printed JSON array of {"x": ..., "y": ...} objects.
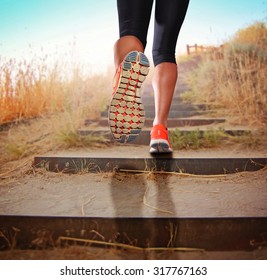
[{"x": 51, "y": 133}]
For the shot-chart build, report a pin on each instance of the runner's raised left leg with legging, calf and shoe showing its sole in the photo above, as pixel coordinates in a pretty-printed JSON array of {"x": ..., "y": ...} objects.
[{"x": 126, "y": 111}]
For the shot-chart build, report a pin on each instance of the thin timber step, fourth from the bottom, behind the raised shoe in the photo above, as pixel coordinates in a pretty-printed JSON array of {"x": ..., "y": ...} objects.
[{"x": 179, "y": 122}]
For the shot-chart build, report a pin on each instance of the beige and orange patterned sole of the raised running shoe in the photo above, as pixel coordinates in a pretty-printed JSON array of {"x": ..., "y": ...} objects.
[{"x": 126, "y": 112}]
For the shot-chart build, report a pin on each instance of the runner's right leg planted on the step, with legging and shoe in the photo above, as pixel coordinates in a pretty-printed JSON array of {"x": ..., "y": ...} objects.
[{"x": 169, "y": 17}]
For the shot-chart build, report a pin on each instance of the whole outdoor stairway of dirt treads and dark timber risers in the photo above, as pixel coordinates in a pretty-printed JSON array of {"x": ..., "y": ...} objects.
[{"x": 201, "y": 210}]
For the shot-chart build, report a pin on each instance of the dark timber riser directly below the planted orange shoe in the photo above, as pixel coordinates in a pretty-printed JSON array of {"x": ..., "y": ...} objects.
[{"x": 167, "y": 163}]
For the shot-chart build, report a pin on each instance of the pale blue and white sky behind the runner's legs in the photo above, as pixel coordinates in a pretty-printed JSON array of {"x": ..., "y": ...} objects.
[{"x": 87, "y": 29}]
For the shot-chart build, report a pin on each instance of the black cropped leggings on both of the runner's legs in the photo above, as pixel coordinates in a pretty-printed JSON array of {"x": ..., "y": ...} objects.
[{"x": 134, "y": 17}]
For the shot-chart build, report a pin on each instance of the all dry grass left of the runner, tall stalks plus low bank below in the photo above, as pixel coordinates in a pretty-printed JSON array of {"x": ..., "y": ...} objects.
[{"x": 44, "y": 106}]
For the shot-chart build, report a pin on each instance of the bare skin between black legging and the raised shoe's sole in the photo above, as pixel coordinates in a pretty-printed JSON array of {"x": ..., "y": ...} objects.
[{"x": 125, "y": 45}]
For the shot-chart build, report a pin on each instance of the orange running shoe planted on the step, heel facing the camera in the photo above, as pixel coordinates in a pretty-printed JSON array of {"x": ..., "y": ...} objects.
[{"x": 159, "y": 142}]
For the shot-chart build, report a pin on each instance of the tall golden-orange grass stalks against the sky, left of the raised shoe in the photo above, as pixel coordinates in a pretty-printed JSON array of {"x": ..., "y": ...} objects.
[{"x": 32, "y": 89}]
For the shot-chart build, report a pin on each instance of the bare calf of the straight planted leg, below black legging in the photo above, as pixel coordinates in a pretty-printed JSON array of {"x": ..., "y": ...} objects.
[{"x": 164, "y": 82}]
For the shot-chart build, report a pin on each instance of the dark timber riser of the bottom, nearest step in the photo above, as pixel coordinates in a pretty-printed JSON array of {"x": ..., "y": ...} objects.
[{"x": 209, "y": 234}]
